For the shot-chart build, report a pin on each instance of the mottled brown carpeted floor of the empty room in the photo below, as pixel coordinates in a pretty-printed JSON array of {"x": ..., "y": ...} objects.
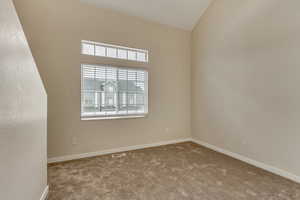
[{"x": 173, "y": 172}]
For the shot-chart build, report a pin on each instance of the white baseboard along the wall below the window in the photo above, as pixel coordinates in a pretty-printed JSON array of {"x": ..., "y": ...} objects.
[{"x": 116, "y": 150}]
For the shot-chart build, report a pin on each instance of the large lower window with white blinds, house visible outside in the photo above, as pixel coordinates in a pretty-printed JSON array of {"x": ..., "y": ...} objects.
[{"x": 112, "y": 92}]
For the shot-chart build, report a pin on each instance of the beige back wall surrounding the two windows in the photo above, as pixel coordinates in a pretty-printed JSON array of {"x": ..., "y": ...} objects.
[{"x": 55, "y": 29}]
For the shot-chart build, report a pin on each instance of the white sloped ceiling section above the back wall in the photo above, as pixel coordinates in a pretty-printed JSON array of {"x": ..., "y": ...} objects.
[{"x": 179, "y": 13}]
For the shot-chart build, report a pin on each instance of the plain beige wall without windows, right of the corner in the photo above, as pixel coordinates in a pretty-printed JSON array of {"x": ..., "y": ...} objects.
[{"x": 245, "y": 80}]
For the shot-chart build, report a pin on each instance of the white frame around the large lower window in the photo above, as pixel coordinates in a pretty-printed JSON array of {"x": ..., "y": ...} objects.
[{"x": 118, "y": 116}]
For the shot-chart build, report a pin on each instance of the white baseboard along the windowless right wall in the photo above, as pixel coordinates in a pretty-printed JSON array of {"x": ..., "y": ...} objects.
[{"x": 255, "y": 163}]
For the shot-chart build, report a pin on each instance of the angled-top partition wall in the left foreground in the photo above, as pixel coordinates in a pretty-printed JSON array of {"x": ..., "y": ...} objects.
[{"x": 23, "y": 112}]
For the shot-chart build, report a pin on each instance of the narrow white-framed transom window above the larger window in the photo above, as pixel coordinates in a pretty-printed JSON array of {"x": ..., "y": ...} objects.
[{"x": 113, "y": 51}]
